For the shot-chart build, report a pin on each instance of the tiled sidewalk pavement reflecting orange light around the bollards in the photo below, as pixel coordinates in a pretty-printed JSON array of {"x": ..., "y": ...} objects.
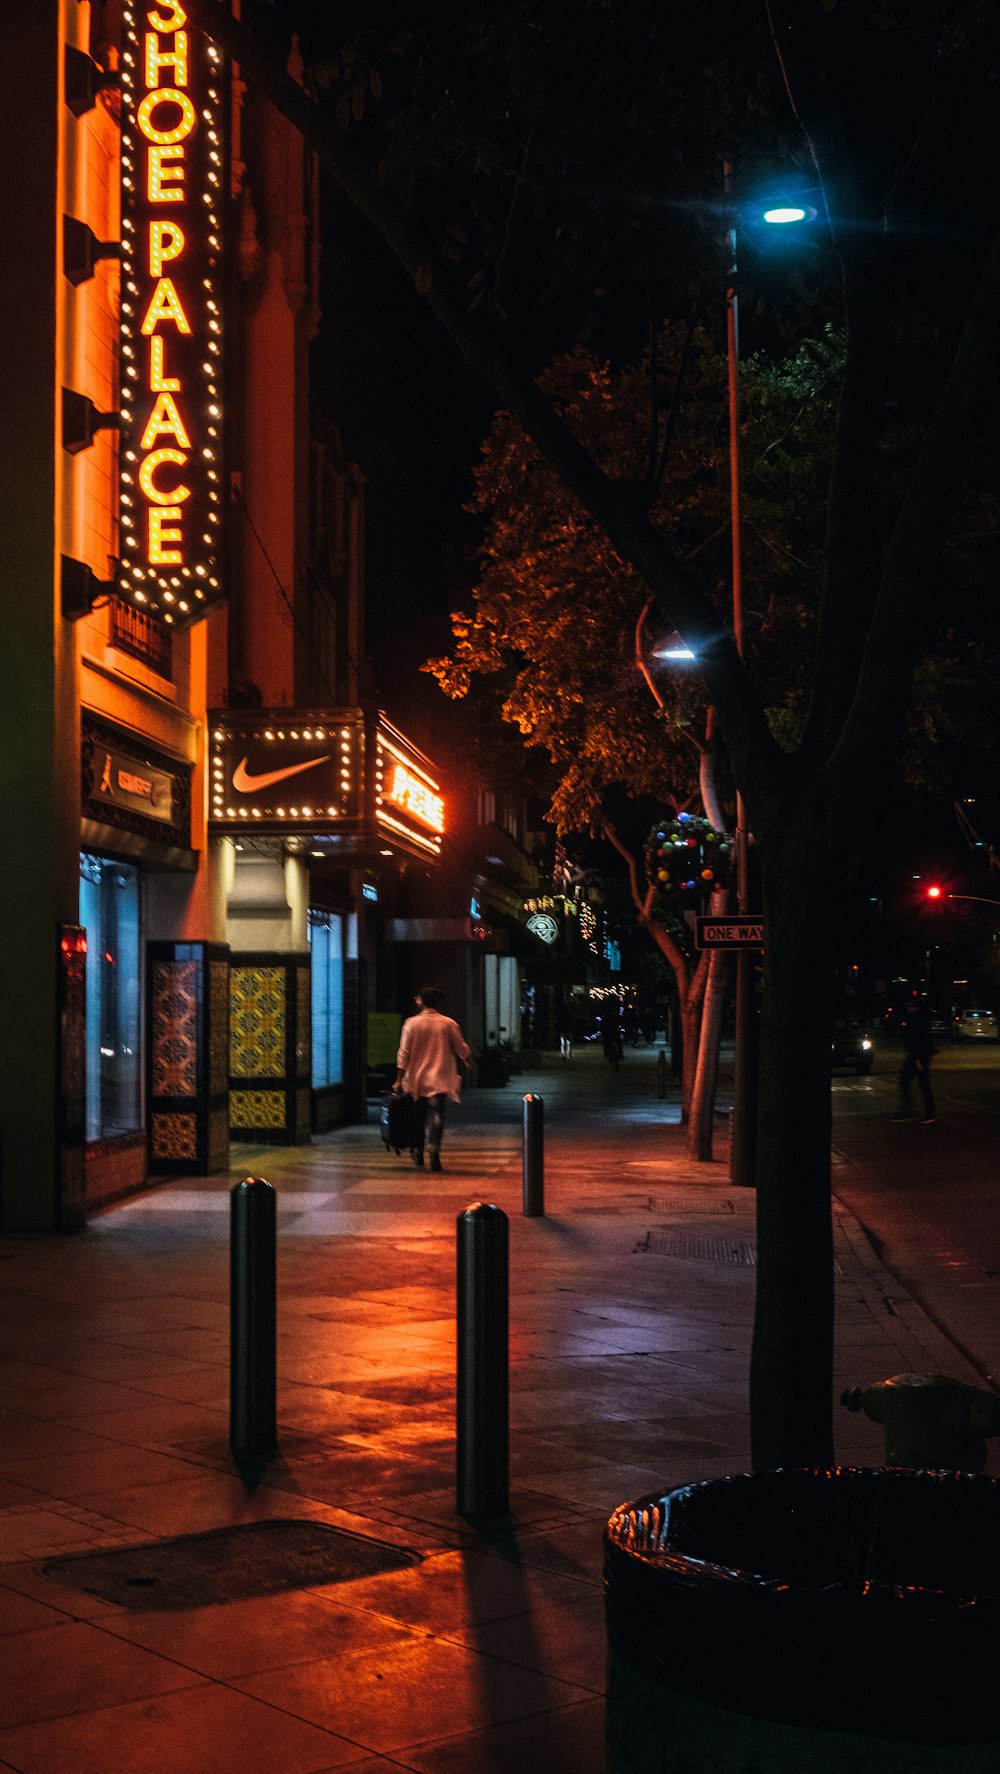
[{"x": 630, "y": 1330}]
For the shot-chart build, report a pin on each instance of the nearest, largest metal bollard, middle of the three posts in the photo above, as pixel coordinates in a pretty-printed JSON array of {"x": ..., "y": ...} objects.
[{"x": 481, "y": 1395}]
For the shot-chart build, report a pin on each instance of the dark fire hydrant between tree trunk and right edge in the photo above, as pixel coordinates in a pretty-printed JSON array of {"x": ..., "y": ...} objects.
[{"x": 930, "y": 1420}]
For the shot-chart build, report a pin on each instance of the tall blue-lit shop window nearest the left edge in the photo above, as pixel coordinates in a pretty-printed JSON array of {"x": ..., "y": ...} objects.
[{"x": 109, "y": 911}]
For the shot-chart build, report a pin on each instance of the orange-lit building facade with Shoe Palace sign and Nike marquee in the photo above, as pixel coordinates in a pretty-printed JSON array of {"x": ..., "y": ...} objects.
[{"x": 198, "y": 783}]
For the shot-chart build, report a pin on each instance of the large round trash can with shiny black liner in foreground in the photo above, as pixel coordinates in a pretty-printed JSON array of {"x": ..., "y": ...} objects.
[{"x": 816, "y": 1619}]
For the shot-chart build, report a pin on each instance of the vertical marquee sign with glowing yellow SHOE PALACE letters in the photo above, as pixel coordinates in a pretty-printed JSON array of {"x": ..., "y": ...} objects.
[{"x": 171, "y": 315}]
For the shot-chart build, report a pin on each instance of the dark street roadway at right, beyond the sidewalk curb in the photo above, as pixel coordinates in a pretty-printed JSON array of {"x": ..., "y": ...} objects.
[{"x": 930, "y": 1197}]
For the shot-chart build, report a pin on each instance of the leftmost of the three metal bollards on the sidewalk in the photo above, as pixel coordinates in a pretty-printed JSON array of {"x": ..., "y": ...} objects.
[{"x": 253, "y": 1314}]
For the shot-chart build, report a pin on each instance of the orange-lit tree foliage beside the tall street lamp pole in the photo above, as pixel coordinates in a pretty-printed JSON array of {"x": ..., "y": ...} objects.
[{"x": 556, "y": 609}]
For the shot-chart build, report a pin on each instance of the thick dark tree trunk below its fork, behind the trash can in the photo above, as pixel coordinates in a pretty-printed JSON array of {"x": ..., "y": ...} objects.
[{"x": 792, "y": 1370}]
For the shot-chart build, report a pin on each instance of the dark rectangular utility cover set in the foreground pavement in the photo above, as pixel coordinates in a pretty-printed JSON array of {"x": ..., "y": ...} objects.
[{"x": 230, "y": 1566}]
